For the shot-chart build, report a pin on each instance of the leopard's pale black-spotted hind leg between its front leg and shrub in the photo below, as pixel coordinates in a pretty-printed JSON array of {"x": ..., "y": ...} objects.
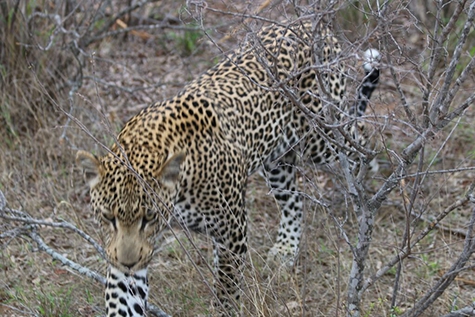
[{"x": 281, "y": 178}]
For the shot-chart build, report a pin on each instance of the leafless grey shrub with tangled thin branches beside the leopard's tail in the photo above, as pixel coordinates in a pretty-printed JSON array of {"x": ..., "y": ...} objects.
[{"x": 443, "y": 97}]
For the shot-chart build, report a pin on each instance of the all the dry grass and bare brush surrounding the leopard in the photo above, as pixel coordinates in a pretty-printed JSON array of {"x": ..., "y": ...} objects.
[{"x": 72, "y": 72}]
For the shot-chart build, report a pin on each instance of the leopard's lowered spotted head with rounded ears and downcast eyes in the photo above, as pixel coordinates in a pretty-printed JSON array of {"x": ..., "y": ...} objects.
[{"x": 132, "y": 202}]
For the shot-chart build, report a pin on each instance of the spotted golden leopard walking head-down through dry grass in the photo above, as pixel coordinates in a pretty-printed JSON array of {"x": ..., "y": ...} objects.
[{"x": 264, "y": 108}]
